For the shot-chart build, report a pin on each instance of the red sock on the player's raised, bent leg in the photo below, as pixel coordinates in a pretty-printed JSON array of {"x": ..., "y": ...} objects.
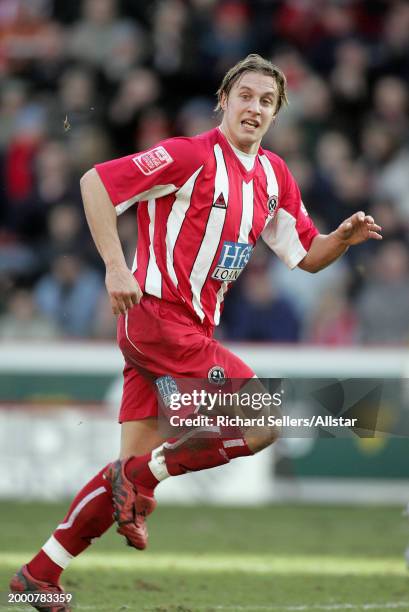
[{"x": 190, "y": 453}]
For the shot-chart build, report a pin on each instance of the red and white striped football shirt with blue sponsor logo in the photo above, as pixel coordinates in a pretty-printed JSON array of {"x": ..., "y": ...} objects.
[{"x": 200, "y": 214}]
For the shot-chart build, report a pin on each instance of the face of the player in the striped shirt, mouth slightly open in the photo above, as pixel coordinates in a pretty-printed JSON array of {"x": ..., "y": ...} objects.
[{"x": 249, "y": 110}]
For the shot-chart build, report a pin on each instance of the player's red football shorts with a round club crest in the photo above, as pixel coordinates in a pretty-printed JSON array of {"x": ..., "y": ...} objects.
[{"x": 159, "y": 338}]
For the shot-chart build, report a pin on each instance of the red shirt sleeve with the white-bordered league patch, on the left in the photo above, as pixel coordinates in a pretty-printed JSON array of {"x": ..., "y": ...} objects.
[{"x": 154, "y": 173}]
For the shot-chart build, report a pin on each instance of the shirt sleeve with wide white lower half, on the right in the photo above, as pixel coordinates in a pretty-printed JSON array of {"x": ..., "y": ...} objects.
[{"x": 290, "y": 233}]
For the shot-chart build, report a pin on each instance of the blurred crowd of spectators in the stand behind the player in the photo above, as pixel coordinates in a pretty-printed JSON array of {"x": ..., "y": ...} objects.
[{"x": 86, "y": 81}]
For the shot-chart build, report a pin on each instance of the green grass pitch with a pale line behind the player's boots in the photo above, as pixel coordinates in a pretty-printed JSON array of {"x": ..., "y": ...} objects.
[{"x": 279, "y": 558}]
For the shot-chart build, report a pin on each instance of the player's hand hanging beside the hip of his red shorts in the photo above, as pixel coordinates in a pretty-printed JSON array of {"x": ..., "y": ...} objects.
[{"x": 123, "y": 290}]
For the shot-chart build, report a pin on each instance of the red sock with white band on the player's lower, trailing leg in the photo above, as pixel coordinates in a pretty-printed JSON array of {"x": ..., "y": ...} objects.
[{"x": 88, "y": 517}]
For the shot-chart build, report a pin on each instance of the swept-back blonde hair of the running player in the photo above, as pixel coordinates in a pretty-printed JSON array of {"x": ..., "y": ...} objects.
[{"x": 254, "y": 63}]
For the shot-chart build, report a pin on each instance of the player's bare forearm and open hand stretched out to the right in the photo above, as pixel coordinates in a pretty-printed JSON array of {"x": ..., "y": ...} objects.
[{"x": 326, "y": 248}]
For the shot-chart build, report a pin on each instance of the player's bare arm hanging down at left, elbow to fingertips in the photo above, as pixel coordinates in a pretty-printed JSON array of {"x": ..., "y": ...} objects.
[{"x": 121, "y": 285}]
